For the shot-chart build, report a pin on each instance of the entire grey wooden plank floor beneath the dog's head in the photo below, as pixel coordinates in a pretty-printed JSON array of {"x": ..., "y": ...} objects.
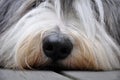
[{"x": 64, "y": 75}]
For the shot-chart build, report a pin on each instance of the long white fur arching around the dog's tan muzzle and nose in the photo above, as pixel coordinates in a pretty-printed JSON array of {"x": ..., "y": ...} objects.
[{"x": 85, "y": 28}]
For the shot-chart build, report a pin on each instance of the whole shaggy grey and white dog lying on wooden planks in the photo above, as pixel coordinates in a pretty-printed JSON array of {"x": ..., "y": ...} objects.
[{"x": 69, "y": 34}]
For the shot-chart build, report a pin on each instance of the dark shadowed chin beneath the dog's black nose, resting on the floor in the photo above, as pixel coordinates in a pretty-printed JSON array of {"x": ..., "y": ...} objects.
[{"x": 58, "y": 67}]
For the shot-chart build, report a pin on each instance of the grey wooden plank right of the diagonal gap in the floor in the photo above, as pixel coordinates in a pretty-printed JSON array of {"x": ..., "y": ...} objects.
[{"x": 83, "y": 75}]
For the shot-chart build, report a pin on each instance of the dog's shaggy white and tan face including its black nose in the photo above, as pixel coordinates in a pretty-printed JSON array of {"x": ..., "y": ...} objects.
[{"x": 68, "y": 34}]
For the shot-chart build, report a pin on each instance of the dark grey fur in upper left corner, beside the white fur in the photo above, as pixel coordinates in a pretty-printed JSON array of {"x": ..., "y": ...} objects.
[{"x": 9, "y": 14}]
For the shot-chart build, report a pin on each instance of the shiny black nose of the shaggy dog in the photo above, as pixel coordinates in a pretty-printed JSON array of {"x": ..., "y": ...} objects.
[{"x": 57, "y": 47}]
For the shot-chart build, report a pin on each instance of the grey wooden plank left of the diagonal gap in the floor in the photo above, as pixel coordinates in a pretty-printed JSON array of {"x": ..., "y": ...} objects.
[{"x": 30, "y": 75}]
